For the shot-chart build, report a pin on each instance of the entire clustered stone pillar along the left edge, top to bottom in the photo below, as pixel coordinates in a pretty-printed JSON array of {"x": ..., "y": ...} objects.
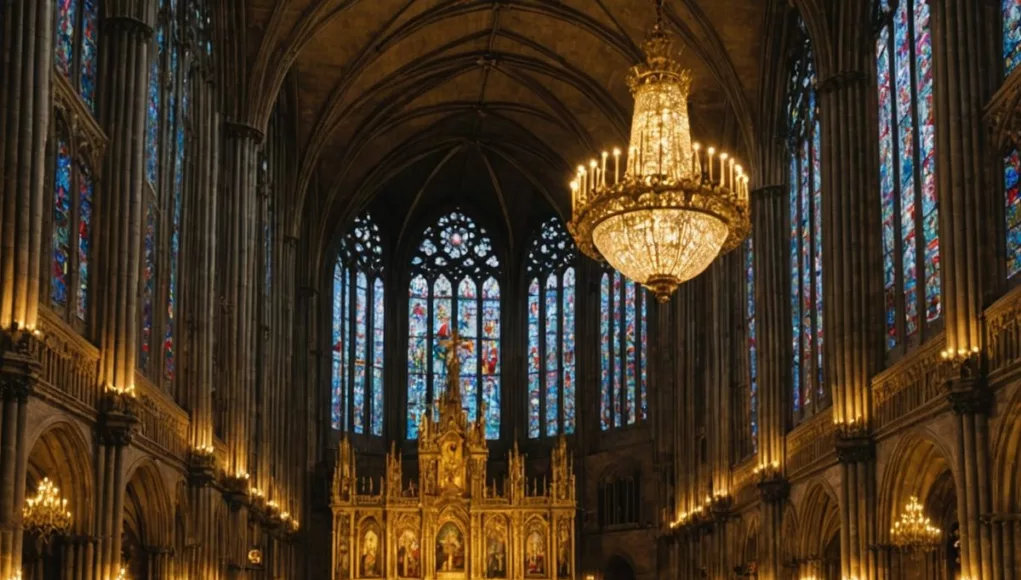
[{"x": 25, "y": 118}]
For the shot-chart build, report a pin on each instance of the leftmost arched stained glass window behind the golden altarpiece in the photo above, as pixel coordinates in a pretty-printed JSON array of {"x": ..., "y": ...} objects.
[{"x": 359, "y": 331}]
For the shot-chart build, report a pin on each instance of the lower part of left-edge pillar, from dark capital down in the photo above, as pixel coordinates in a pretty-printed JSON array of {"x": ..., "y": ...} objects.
[{"x": 19, "y": 375}]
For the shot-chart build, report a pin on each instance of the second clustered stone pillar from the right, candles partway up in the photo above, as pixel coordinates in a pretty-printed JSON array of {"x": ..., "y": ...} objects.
[{"x": 850, "y": 219}]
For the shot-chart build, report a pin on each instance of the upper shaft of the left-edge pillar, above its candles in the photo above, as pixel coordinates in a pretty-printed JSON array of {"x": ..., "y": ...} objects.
[{"x": 25, "y": 99}]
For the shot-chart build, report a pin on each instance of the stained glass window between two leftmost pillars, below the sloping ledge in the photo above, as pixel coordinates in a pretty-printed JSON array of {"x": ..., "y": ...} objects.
[{"x": 74, "y": 196}]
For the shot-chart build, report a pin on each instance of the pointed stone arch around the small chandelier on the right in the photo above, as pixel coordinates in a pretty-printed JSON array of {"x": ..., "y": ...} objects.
[{"x": 919, "y": 465}]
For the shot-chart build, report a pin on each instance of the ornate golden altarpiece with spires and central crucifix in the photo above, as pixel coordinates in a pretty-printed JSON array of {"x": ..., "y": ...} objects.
[{"x": 451, "y": 524}]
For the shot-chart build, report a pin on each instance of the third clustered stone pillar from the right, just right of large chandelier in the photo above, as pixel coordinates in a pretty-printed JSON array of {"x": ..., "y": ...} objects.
[{"x": 769, "y": 215}]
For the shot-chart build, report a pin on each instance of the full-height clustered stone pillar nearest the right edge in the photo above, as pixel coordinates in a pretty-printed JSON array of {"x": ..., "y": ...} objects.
[{"x": 963, "y": 75}]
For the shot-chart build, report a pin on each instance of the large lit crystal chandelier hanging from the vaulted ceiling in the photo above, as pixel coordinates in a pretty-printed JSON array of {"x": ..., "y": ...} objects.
[{"x": 676, "y": 207}]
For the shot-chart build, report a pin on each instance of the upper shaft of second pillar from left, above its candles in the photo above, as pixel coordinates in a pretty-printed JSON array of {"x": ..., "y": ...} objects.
[{"x": 126, "y": 33}]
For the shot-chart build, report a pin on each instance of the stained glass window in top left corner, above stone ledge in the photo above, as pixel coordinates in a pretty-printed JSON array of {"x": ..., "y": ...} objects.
[{"x": 77, "y": 51}]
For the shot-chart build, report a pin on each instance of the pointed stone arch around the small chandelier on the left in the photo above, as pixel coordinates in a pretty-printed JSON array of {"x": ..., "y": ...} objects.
[{"x": 62, "y": 453}]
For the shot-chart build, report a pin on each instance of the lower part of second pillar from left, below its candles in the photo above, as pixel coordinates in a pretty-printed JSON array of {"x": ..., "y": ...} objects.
[{"x": 115, "y": 432}]
